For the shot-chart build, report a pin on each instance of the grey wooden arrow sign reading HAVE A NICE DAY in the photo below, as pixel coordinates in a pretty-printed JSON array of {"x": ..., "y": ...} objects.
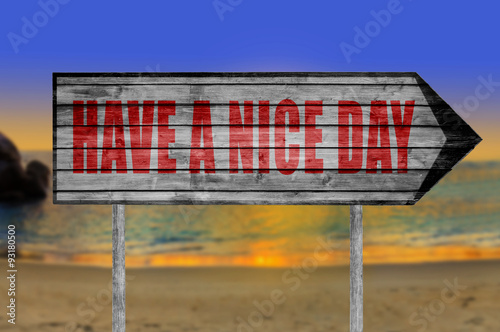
[{"x": 251, "y": 138}]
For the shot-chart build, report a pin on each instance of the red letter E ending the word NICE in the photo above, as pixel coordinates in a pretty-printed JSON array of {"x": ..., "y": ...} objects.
[{"x": 313, "y": 136}]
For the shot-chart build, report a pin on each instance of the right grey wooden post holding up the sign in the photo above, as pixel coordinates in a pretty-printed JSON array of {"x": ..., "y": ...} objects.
[{"x": 356, "y": 286}]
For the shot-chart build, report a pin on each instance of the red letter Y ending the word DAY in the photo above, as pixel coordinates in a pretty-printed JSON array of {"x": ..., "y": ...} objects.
[{"x": 402, "y": 126}]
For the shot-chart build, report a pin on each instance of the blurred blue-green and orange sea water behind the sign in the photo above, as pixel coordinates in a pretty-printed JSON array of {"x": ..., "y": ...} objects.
[{"x": 458, "y": 219}]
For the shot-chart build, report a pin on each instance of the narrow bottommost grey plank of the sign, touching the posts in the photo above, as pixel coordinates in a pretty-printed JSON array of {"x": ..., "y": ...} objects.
[{"x": 235, "y": 198}]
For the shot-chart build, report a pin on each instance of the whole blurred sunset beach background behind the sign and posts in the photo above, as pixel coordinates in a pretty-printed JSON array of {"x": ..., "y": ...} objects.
[{"x": 429, "y": 267}]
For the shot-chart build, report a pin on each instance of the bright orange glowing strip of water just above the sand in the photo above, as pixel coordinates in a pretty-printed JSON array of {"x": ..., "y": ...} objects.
[{"x": 371, "y": 255}]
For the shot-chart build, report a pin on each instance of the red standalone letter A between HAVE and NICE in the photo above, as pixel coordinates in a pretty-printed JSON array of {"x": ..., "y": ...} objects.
[{"x": 202, "y": 121}]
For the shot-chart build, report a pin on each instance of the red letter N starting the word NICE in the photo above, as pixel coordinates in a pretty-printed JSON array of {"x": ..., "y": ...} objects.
[{"x": 240, "y": 136}]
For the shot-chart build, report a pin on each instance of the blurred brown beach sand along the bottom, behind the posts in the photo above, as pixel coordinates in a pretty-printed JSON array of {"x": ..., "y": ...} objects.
[{"x": 77, "y": 298}]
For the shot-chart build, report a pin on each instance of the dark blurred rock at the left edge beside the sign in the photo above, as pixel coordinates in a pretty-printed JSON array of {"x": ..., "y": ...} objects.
[{"x": 16, "y": 184}]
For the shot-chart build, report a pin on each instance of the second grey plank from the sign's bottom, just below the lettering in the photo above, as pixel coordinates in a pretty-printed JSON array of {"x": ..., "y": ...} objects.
[{"x": 274, "y": 180}]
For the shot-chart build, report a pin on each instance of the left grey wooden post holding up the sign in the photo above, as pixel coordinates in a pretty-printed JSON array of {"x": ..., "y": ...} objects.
[{"x": 118, "y": 268}]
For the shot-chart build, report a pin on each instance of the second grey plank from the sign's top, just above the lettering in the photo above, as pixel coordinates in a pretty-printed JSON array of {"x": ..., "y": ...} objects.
[{"x": 222, "y": 94}]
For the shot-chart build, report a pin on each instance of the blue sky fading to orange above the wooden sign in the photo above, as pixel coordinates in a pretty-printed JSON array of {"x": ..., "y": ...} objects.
[{"x": 455, "y": 57}]
